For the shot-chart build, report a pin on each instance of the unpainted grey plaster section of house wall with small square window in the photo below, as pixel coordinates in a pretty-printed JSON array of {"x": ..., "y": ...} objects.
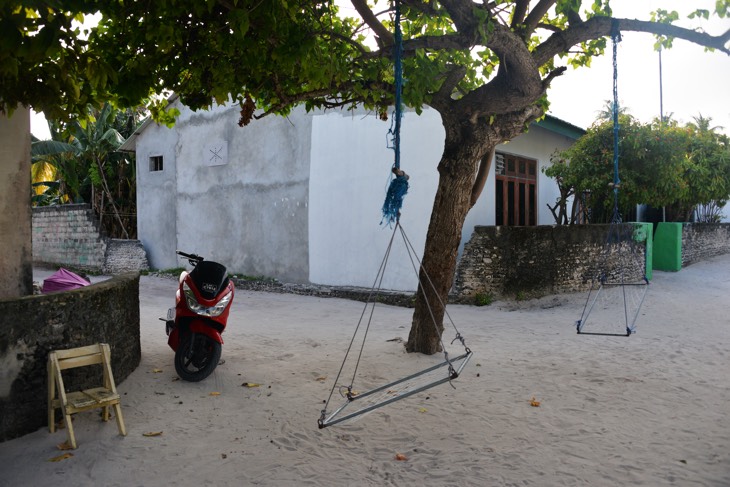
[{"x": 235, "y": 195}]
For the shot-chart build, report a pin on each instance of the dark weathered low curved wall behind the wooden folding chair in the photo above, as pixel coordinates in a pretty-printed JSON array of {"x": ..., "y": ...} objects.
[{"x": 32, "y": 326}]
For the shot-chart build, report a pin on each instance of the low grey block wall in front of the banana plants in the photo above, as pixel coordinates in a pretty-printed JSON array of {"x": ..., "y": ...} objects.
[{"x": 70, "y": 235}]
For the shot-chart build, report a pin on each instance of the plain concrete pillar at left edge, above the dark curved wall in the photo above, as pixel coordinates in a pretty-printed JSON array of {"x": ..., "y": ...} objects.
[{"x": 16, "y": 260}]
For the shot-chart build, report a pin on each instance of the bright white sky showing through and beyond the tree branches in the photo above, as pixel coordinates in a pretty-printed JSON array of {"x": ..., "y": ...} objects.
[{"x": 694, "y": 81}]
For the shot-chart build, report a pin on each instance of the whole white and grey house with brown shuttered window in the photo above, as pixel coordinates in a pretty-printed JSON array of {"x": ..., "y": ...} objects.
[{"x": 299, "y": 198}]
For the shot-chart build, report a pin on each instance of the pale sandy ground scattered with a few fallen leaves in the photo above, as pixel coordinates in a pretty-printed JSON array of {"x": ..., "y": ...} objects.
[{"x": 652, "y": 409}]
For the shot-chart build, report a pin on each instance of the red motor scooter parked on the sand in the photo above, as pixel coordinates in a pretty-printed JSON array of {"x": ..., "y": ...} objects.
[{"x": 194, "y": 326}]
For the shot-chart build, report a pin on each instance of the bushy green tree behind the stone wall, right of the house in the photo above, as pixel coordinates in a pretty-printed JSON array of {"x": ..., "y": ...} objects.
[{"x": 661, "y": 164}]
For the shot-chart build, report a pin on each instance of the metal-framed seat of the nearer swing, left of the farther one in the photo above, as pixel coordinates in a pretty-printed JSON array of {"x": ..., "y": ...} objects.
[{"x": 359, "y": 404}]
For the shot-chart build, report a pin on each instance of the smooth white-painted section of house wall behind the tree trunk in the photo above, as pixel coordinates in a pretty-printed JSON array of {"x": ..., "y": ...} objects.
[{"x": 350, "y": 174}]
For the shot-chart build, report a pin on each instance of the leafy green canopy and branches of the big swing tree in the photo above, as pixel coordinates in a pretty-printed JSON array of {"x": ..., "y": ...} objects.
[{"x": 288, "y": 52}]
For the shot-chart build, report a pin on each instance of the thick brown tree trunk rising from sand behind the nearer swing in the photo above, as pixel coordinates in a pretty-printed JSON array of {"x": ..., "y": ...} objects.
[{"x": 464, "y": 149}]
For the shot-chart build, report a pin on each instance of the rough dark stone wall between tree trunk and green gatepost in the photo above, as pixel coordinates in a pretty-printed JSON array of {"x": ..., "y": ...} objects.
[{"x": 534, "y": 261}]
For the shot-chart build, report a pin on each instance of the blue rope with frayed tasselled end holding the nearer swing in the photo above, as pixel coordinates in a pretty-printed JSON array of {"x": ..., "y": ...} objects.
[{"x": 399, "y": 184}]
